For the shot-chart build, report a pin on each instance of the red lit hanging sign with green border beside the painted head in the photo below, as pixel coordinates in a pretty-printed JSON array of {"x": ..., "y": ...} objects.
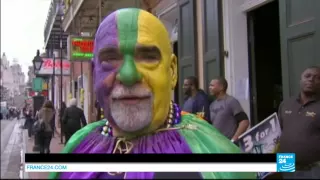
[{"x": 80, "y": 48}]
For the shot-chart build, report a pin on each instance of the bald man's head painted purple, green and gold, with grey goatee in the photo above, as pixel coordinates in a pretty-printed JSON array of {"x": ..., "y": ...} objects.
[{"x": 134, "y": 70}]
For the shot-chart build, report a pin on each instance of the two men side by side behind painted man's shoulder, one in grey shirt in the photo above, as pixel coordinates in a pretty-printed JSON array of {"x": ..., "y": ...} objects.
[{"x": 224, "y": 112}]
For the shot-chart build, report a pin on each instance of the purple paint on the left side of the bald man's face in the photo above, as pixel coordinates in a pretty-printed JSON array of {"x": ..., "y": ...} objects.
[{"x": 106, "y": 36}]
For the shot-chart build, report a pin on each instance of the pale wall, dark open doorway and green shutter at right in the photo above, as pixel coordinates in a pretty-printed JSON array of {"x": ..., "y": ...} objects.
[{"x": 270, "y": 43}]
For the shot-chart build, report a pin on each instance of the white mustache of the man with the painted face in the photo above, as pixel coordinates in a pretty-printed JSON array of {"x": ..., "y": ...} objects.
[{"x": 135, "y": 91}]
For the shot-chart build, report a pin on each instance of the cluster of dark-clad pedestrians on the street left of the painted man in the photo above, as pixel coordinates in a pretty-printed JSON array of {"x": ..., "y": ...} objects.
[{"x": 42, "y": 124}]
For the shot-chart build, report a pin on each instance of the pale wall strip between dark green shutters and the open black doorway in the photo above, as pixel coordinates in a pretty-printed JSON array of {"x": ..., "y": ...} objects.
[{"x": 235, "y": 38}]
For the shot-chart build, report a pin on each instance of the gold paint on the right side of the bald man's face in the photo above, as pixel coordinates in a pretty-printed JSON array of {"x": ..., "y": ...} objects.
[{"x": 160, "y": 76}]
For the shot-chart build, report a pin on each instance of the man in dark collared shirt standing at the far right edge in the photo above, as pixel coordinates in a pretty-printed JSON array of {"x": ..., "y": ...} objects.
[{"x": 300, "y": 122}]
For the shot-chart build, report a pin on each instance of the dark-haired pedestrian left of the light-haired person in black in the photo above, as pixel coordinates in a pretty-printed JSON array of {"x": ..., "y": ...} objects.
[{"x": 45, "y": 117}]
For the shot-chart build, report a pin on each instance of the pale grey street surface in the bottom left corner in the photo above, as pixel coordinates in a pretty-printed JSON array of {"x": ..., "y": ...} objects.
[{"x": 11, "y": 144}]
